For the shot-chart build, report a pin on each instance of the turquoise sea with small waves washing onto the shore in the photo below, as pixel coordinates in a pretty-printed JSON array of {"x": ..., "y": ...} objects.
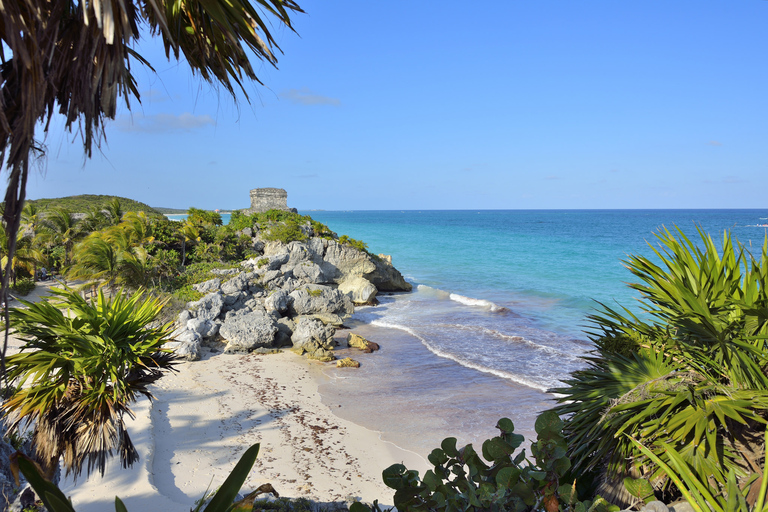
[{"x": 498, "y": 310}]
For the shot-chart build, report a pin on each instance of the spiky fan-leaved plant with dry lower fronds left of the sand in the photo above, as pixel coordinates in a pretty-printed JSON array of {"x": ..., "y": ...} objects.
[{"x": 82, "y": 365}]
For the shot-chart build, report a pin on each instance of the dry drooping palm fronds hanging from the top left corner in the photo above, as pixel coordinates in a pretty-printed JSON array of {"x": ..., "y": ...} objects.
[{"x": 74, "y": 58}]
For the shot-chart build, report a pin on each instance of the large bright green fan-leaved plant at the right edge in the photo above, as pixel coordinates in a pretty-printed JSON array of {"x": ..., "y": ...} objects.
[{"x": 688, "y": 377}]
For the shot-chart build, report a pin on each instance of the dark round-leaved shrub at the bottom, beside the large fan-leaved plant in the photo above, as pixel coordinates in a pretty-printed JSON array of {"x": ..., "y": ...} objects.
[{"x": 499, "y": 480}]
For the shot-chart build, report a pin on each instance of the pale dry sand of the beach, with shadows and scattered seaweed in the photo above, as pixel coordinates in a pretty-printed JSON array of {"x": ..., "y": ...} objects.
[{"x": 207, "y": 414}]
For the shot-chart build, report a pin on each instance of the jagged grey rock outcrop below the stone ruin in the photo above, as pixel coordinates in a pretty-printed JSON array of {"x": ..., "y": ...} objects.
[{"x": 291, "y": 295}]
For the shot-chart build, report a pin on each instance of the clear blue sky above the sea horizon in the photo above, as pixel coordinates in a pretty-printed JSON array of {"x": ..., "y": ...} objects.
[{"x": 535, "y": 104}]
